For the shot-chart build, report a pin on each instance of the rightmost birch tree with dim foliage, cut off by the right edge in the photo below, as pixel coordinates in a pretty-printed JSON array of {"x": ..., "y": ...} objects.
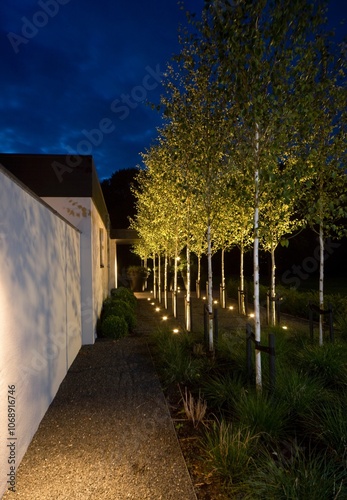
[{"x": 324, "y": 152}]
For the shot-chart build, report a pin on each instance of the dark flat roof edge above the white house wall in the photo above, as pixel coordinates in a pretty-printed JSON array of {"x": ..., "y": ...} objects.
[{"x": 58, "y": 175}]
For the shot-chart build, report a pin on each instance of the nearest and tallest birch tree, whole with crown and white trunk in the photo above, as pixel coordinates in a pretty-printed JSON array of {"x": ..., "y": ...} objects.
[{"x": 262, "y": 47}]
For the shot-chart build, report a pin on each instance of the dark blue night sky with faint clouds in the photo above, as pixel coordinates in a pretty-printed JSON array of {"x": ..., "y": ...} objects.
[{"x": 75, "y": 74}]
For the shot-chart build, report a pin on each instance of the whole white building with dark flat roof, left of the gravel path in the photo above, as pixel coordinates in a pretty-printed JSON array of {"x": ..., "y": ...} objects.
[{"x": 57, "y": 266}]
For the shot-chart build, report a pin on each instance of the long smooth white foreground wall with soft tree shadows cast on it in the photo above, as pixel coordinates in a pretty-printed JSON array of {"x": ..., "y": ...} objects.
[{"x": 40, "y": 313}]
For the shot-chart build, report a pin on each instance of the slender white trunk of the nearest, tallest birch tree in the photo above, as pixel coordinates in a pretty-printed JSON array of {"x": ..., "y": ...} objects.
[{"x": 257, "y": 330}]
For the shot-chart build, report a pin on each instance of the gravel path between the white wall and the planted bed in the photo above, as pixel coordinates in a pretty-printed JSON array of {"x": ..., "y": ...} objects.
[{"x": 108, "y": 433}]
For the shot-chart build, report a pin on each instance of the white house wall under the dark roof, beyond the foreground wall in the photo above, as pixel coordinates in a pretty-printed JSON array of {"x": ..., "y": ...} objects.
[{"x": 95, "y": 280}]
